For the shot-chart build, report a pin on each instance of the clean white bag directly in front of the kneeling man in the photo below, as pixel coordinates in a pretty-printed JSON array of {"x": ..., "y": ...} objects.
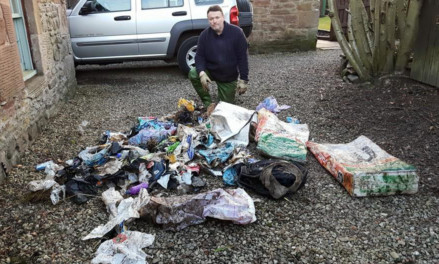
[{"x": 232, "y": 123}]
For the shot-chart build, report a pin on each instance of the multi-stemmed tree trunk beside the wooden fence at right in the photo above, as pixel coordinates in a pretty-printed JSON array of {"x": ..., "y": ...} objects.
[{"x": 382, "y": 42}]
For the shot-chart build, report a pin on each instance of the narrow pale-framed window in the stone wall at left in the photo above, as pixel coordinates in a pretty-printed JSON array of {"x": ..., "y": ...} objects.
[{"x": 21, "y": 34}]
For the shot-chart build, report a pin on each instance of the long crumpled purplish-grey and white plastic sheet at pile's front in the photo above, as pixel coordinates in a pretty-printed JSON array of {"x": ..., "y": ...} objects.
[{"x": 178, "y": 212}]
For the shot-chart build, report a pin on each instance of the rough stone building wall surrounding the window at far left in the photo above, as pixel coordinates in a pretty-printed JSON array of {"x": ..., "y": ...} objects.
[{"x": 26, "y": 106}]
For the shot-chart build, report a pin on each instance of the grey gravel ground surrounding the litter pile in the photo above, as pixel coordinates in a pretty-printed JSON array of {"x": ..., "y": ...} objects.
[{"x": 319, "y": 224}]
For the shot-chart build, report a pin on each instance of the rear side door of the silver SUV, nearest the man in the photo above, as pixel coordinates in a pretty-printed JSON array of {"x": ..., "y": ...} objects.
[{"x": 155, "y": 19}]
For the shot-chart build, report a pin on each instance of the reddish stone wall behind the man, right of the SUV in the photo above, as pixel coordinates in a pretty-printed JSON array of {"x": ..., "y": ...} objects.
[{"x": 284, "y": 25}]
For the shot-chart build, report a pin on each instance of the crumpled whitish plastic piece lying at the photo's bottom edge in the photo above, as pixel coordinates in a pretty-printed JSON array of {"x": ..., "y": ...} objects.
[{"x": 126, "y": 248}]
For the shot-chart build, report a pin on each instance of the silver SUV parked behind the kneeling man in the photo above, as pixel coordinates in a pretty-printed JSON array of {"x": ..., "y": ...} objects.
[{"x": 107, "y": 31}]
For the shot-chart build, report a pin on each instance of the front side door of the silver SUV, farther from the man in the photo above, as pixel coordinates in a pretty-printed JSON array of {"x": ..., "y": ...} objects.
[{"x": 106, "y": 31}]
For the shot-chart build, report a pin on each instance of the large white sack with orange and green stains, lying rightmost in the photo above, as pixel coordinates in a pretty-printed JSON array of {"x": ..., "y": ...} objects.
[{"x": 365, "y": 169}]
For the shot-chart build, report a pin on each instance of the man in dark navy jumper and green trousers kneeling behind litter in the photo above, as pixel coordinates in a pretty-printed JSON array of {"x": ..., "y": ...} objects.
[{"x": 221, "y": 56}]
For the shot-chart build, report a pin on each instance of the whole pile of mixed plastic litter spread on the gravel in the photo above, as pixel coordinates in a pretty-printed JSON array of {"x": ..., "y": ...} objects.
[{"x": 178, "y": 151}]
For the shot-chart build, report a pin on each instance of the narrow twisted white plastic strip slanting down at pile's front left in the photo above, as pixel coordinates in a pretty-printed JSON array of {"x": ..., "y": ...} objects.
[{"x": 127, "y": 209}]
